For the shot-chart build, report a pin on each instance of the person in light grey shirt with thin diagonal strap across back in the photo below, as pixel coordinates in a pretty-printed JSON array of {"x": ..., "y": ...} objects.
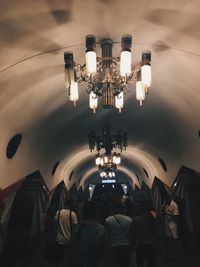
[{"x": 119, "y": 229}]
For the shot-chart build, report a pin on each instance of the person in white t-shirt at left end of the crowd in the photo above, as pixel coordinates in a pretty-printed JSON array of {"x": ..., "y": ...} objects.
[{"x": 66, "y": 224}]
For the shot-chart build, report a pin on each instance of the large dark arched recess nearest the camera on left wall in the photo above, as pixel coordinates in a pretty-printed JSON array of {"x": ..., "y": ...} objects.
[{"x": 30, "y": 205}]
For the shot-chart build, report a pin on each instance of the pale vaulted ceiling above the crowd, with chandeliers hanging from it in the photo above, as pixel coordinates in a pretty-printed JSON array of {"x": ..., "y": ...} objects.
[{"x": 33, "y": 100}]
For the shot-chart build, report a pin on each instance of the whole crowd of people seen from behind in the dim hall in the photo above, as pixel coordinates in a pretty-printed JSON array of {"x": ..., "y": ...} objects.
[{"x": 95, "y": 234}]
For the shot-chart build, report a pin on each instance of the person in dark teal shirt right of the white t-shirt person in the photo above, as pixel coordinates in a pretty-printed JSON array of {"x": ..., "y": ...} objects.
[{"x": 90, "y": 246}]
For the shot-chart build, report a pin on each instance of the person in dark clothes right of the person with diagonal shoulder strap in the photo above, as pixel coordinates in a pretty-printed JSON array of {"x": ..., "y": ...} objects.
[{"x": 145, "y": 230}]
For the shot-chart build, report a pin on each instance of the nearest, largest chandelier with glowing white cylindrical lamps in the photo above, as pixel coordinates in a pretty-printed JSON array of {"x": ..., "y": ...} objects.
[{"x": 107, "y": 76}]
